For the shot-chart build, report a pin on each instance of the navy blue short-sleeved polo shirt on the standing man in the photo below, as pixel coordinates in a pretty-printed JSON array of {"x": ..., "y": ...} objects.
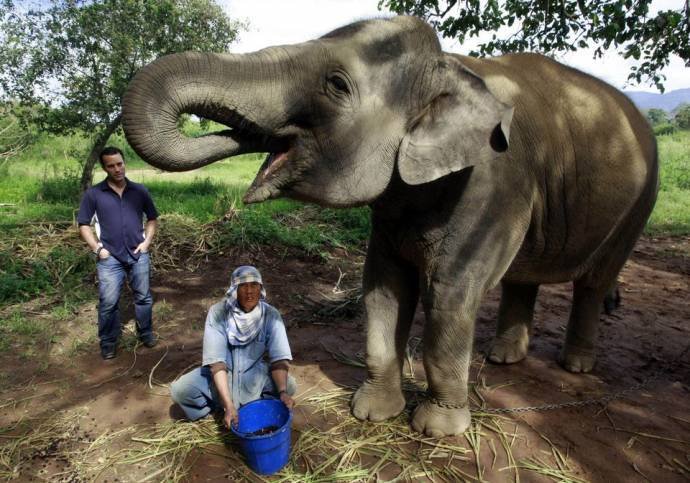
[{"x": 120, "y": 219}]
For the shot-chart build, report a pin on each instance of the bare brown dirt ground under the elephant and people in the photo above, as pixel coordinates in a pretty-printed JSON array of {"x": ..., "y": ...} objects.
[{"x": 641, "y": 435}]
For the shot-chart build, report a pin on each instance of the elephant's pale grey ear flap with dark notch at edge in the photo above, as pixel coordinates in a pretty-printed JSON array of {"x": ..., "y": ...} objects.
[{"x": 463, "y": 125}]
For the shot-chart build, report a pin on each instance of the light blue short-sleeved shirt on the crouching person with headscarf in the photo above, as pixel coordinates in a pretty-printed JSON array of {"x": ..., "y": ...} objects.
[{"x": 248, "y": 371}]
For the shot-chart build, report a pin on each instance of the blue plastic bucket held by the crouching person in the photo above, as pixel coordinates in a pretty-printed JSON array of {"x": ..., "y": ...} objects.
[{"x": 265, "y": 453}]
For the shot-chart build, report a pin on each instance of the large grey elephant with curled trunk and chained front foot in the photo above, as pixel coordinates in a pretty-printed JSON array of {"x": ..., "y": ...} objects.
[{"x": 513, "y": 169}]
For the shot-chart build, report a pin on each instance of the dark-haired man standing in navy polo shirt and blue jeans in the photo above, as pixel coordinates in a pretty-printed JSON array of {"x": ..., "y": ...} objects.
[{"x": 121, "y": 248}]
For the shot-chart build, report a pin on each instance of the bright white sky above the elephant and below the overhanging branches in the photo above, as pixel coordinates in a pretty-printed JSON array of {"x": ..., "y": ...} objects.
[{"x": 280, "y": 22}]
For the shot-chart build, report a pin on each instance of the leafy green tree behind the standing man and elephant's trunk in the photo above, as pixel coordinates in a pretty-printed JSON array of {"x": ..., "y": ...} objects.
[{"x": 71, "y": 60}]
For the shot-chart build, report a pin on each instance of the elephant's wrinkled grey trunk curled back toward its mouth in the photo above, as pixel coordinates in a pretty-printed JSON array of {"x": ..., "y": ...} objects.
[{"x": 242, "y": 92}]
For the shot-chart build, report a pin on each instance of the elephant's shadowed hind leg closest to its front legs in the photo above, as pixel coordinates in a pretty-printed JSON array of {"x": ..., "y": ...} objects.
[{"x": 514, "y": 322}]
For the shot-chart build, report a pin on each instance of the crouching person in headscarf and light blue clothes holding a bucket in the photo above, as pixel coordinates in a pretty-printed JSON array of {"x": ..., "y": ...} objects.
[{"x": 239, "y": 331}]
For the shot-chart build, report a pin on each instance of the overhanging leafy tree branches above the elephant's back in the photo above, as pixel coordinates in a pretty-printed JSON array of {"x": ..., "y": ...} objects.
[{"x": 564, "y": 25}]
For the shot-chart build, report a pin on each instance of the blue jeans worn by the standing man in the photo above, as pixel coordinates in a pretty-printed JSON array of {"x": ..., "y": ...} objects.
[{"x": 111, "y": 278}]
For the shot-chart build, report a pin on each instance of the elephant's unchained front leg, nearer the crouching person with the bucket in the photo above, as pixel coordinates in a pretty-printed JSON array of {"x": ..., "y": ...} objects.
[{"x": 390, "y": 300}]
